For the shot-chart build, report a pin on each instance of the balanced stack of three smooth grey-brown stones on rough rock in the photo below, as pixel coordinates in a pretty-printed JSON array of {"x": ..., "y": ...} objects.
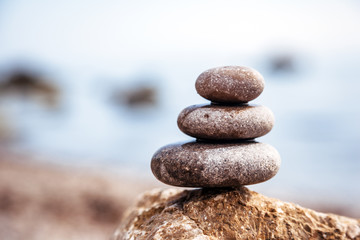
[{"x": 224, "y": 153}]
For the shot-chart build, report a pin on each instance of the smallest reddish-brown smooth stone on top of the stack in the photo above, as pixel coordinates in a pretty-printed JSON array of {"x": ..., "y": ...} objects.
[{"x": 230, "y": 84}]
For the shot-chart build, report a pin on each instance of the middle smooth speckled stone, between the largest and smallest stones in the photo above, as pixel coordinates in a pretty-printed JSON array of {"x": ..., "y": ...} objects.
[{"x": 217, "y": 122}]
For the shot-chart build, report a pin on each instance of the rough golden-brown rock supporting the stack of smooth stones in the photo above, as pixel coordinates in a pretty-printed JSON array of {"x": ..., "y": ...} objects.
[{"x": 228, "y": 214}]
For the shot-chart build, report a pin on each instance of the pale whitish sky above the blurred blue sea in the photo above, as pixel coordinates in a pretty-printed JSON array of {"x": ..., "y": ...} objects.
[{"x": 73, "y": 33}]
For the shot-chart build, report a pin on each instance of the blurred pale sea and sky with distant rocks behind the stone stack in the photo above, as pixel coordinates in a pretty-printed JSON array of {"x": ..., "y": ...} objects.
[{"x": 100, "y": 83}]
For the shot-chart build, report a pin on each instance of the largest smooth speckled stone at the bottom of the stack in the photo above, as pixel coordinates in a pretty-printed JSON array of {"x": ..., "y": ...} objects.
[{"x": 204, "y": 164}]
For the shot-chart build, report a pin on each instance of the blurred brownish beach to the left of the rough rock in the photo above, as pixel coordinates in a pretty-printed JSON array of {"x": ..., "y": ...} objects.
[{"x": 44, "y": 201}]
